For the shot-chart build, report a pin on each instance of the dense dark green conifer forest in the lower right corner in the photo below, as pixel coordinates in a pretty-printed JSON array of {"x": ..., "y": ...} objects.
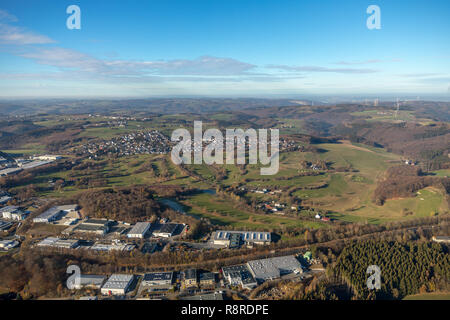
[{"x": 406, "y": 268}]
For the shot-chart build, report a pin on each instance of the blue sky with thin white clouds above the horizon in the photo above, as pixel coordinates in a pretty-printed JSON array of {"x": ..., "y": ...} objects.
[{"x": 140, "y": 48}]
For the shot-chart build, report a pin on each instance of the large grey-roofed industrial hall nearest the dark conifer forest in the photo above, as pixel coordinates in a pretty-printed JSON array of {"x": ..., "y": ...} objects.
[{"x": 273, "y": 268}]
